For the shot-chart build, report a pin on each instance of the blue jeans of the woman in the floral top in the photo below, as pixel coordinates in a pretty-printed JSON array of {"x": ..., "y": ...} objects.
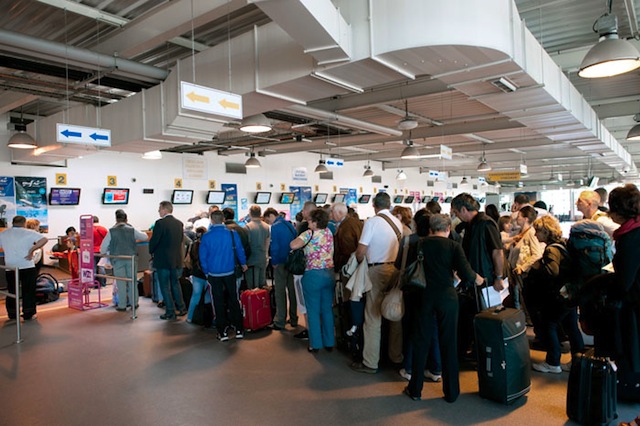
[{"x": 317, "y": 286}]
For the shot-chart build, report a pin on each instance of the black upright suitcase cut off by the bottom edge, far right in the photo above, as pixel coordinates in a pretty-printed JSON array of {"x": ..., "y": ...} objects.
[{"x": 591, "y": 392}]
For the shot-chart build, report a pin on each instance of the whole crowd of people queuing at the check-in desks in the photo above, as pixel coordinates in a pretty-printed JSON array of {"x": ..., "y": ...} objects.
[{"x": 461, "y": 254}]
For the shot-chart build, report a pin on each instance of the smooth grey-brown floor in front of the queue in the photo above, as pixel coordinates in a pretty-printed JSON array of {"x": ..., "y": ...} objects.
[{"x": 100, "y": 367}]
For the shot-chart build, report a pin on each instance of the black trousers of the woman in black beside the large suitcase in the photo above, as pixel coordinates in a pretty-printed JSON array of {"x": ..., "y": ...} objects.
[{"x": 444, "y": 303}]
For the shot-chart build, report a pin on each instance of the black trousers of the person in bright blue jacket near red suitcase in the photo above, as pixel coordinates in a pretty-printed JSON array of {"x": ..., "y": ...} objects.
[{"x": 225, "y": 298}]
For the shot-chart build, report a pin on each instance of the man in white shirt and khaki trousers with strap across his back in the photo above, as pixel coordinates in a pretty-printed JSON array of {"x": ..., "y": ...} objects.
[{"x": 378, "y": 246}]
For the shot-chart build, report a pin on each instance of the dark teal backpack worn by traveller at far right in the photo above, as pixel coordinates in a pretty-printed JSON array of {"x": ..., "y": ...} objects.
[{"x": 590, "y": 249}]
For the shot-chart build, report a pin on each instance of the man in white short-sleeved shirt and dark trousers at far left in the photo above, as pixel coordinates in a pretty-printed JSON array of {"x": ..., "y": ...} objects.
[{"x": 19, "y": 244}]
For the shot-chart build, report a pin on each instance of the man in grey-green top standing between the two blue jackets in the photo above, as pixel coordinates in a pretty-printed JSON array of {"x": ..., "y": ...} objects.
[{"x": 259, "y": 237}]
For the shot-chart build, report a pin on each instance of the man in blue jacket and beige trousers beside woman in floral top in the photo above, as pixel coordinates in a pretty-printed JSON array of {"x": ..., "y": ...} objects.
[{"x": 282, "y": 233}]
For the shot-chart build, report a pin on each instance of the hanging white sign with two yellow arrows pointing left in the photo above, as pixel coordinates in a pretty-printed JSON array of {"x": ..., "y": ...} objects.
[{"x": 212, "y": 101}]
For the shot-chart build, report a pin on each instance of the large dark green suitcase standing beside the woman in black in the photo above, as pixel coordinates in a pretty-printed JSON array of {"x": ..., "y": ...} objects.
[{"x": 504, "y": 364}]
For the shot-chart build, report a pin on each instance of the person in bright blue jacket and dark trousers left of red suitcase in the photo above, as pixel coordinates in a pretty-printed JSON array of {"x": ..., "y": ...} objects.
[{"x": 218, "y": 260}]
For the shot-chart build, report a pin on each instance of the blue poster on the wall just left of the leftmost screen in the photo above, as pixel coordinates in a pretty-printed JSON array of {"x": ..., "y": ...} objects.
[{"x": 31, "y": 199}]
